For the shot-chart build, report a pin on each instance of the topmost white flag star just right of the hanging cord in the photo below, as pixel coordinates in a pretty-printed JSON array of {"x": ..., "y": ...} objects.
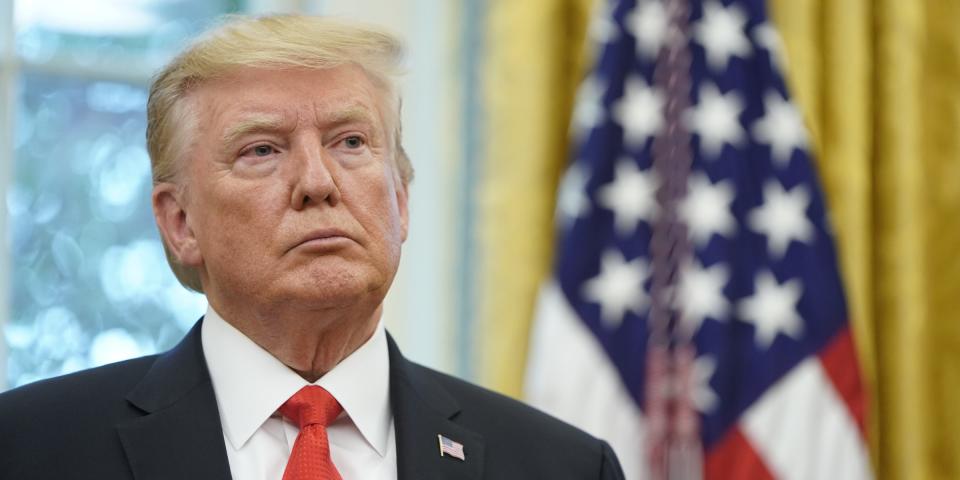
[{"x": 721, "y": 33}]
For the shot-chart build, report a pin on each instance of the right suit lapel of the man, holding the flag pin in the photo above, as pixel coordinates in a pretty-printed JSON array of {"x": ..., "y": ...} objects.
[{"x": 422, "y": 410}]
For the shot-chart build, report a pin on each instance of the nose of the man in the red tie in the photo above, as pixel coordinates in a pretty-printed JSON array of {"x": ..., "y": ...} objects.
[{"x": 314, "y": 180}]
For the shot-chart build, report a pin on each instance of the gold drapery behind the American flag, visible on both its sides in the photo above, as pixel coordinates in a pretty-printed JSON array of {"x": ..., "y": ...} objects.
[{"x": 879, "y": 82}]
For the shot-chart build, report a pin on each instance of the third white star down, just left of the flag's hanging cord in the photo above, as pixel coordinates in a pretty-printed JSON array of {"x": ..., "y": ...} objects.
[{"x": 631, "y": 196}]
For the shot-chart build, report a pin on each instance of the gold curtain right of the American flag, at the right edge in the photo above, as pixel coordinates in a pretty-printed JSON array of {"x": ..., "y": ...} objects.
[{"x": 879, "y": 81}]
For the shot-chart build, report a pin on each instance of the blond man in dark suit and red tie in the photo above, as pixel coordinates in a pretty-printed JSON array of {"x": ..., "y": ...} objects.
[{"x": 280, "y": 191}]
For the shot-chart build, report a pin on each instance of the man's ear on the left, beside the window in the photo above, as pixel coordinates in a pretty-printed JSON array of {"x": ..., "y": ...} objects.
[{"x": 171, "y": 217}]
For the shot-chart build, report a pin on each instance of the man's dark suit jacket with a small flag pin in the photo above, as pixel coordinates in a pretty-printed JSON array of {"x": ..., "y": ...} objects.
[{"x": 156, "y": 417}]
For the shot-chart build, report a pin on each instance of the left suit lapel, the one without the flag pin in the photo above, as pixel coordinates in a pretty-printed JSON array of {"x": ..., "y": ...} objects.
[{"x": 180, "y": 434}]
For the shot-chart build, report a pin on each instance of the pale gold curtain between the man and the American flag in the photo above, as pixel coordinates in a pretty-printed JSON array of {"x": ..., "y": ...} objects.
[{"x": 532, "y": 65}]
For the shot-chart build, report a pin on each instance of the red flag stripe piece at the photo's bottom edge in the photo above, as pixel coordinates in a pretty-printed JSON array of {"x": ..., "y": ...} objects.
[{"x": 733, "y": 458}]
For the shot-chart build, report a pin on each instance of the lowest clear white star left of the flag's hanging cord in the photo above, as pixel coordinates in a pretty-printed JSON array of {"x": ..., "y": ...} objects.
[{"x": 618, "y": 287}]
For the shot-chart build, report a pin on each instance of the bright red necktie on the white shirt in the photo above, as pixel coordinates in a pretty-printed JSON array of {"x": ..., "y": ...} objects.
[{"x": 312, "y": 409}]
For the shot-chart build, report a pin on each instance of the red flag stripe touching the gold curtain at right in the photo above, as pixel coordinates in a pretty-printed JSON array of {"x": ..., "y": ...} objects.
[{"x": 839, "y": 359}]
